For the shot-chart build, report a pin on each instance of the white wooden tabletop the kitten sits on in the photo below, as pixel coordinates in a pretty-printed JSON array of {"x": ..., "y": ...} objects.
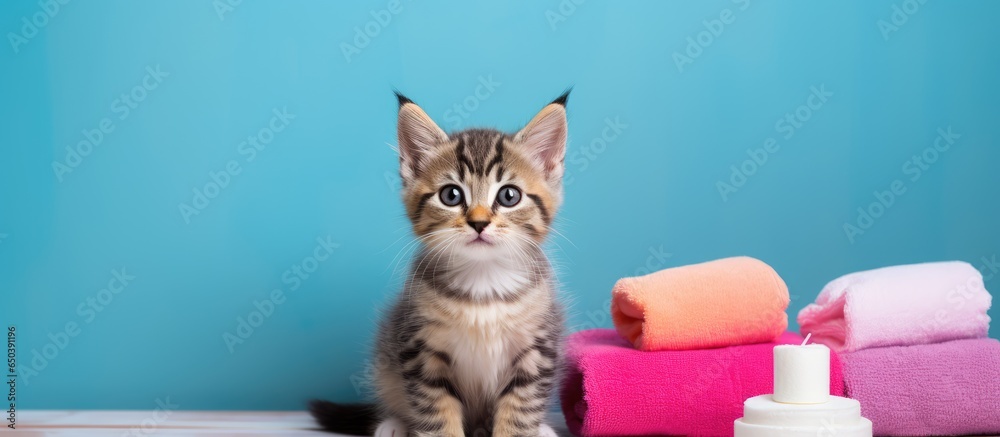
[{"x": 85, "y": 423}]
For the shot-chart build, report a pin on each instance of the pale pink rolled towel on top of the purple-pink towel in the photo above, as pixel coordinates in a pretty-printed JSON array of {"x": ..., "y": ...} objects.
[{"x": 898, "y": 306}]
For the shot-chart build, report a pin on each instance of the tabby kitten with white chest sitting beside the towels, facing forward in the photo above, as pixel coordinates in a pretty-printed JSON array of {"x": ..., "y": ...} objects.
[{"x": 472, "y": 346}]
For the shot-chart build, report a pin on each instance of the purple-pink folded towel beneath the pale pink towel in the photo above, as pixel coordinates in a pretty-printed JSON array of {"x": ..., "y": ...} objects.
[{"x": 950, "y": 388}]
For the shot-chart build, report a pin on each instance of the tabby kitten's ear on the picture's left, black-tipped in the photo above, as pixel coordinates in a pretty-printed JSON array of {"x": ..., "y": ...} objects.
[{"x": 418, "y": 135}]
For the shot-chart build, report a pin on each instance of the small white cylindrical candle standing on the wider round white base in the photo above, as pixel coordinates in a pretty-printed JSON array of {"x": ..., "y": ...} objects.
[{"x": 801, "y": 374}]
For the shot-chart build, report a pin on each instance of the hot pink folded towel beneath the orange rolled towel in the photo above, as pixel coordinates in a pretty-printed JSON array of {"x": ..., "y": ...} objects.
[{"x": 612, "y": 389}]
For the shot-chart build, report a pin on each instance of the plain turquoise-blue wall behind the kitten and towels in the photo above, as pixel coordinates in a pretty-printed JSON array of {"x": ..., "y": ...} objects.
[{"x": 645, "y": 199}]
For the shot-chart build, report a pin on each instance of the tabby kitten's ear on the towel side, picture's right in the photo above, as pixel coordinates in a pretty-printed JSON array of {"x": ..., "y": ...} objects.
[{"x": 545, "y": 137}]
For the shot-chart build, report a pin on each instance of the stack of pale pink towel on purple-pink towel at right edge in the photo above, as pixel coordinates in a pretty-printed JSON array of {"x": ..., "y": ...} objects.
[{"x": 913, "y": 342}]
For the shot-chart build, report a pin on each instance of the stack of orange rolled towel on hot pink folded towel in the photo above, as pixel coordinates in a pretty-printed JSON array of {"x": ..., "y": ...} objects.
[{"x": 692, "y": 343}]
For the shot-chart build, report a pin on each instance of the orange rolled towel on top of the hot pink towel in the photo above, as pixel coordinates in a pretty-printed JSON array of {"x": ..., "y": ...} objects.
[{"x": 719, "y": 303}]
